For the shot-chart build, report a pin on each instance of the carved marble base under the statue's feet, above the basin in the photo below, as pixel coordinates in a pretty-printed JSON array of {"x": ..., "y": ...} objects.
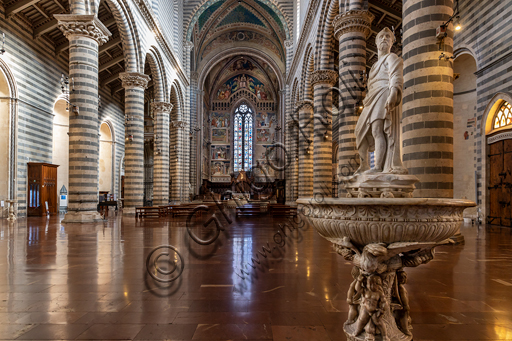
[{"x": 380, "y": 185}]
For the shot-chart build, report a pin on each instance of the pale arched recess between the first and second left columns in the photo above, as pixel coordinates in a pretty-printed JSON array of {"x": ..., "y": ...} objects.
[{"x": 105, "y": 160}]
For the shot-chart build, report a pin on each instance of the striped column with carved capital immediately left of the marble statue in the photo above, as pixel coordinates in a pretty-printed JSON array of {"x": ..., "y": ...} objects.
[{"x": 351, "y": 28}]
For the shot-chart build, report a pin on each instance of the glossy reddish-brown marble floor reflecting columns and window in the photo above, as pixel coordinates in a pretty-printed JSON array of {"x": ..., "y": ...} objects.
[{"x": 89, "y": 282}]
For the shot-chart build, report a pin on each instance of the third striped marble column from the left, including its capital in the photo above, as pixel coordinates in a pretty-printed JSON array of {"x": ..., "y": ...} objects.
[{"x": 162, "y": 111}]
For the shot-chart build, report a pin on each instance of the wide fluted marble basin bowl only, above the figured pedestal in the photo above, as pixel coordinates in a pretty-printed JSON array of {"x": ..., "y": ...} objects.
[{"x": 379, "y": 220}]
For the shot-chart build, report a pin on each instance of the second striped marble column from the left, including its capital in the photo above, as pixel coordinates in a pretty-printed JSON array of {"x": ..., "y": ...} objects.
[{"x": 134, "y": 84}]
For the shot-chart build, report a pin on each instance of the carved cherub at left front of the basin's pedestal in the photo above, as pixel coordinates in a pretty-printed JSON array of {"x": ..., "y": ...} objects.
[{"x": 373, "y": 306}]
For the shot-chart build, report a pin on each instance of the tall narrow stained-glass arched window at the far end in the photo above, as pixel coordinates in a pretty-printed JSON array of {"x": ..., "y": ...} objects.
[{"x": 242, "y": 142}]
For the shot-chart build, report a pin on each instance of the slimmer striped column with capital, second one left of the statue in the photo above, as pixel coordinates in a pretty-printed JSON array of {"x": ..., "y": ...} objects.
[{"x": 323, "y": 81}]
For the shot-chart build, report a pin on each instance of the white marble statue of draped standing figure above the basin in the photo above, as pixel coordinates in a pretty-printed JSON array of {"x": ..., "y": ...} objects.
[{"x": 378, "y": 126}]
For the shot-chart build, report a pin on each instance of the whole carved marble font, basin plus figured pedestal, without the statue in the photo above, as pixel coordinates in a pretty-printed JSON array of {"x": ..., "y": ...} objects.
[{"x": 381, "y": 237}]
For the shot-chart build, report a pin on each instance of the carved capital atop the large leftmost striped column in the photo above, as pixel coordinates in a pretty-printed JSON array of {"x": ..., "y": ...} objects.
[{"x": 83, "y": 25}]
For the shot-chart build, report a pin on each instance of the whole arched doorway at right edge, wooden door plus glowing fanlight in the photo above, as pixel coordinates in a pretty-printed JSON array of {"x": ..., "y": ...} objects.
[{"x": 498, "y": 129}]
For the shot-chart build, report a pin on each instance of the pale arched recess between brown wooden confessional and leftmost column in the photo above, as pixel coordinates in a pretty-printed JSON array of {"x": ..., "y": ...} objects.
[{"x": 60, "y": 151}]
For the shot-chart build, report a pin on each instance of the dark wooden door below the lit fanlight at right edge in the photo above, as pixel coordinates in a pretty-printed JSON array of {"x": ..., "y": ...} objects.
[{"x": 500, "y": 183}]
